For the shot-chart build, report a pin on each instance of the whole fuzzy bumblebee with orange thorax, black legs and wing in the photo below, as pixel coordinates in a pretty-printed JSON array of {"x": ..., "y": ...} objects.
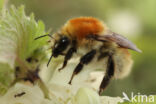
[{"x": 91, "y": 40}]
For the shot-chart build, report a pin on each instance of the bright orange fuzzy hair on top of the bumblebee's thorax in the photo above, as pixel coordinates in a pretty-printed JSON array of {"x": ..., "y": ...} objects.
[{"x": 80, "y": 27}]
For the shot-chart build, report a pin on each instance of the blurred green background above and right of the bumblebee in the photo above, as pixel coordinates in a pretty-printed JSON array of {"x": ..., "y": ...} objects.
[{"x": 134, "y": 19}]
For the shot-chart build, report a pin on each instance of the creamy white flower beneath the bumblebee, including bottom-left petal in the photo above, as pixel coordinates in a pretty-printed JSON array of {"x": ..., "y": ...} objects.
[{"x": 82, "y": 91}]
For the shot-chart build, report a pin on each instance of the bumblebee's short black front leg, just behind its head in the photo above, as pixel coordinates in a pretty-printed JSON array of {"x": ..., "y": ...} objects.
[{"x": 68, "y": 56}]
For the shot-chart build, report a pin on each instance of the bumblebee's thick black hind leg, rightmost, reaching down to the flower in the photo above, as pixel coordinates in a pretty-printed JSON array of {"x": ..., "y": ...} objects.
[{"x": 108, "y": 75}]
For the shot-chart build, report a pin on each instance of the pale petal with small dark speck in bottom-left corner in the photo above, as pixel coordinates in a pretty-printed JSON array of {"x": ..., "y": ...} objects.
[{"x": 31, "y": 95}]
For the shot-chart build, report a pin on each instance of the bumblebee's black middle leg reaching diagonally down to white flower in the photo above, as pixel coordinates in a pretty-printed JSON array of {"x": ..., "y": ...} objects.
[{"x": 83, "y": 61}]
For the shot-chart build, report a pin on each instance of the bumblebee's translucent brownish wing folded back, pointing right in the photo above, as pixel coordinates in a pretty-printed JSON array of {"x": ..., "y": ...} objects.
[{"x": 118, "y": 39}]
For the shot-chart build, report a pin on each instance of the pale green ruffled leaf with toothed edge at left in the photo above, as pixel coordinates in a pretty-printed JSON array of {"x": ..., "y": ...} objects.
[{"x": 17, "y": 34}]
